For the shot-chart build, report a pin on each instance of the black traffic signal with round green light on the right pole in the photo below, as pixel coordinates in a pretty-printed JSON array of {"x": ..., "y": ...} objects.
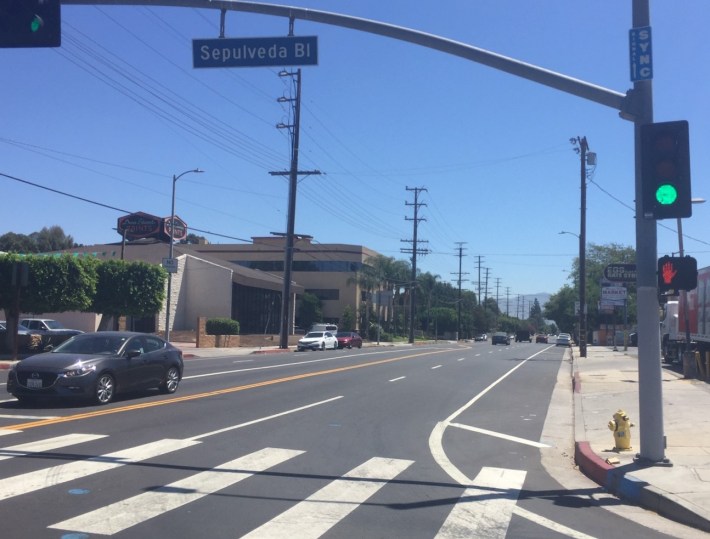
[{"x": 665, "y": 170}]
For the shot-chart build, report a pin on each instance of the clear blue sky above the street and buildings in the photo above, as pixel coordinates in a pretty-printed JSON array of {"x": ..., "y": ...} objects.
[{"x": 100, "y": 126}]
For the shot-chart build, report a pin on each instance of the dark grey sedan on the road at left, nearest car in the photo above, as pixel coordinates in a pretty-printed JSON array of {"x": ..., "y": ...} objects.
[{"x": 98, "y": 365}]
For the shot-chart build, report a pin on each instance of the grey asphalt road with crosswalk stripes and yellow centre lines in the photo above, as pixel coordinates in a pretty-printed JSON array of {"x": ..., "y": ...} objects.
[{"x": 430, "y": 441}]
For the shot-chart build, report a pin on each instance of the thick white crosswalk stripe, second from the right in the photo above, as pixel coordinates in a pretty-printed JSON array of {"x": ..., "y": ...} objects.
[{"x": 315, "y": 515}]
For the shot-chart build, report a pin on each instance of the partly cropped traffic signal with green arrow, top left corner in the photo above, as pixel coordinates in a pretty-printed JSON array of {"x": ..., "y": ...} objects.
[{"x": 30, "y": 23}]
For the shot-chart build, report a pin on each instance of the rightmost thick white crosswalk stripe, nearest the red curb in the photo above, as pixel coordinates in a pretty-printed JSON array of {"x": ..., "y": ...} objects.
[{"x": 486, "y": 508}]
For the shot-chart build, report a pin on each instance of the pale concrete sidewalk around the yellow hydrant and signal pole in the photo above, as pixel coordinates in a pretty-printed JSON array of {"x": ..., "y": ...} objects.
[{"x": 607, "y": 380}]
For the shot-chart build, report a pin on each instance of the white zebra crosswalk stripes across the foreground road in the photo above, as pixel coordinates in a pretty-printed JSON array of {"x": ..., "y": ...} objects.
[{"x": 486, "y": 506}]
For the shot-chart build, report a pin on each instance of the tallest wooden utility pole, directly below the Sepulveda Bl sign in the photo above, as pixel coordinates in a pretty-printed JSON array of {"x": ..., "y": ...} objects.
[{"x": 293, "y": 173}]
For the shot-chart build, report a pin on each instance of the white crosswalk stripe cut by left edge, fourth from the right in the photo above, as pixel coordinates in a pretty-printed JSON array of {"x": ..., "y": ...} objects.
[{"x": 32, "y": 481}]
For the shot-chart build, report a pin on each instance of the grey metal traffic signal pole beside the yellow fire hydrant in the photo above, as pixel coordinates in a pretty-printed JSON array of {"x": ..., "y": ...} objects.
[{"x": 652, "y": 440}]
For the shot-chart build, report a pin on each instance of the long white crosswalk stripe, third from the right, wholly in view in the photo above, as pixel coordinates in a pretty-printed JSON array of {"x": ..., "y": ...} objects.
[{"x": 117, "y": 517}]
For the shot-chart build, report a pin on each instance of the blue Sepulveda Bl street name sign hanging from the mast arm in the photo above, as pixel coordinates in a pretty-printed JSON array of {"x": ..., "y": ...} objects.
[{"x": 255, "y": 52}]
